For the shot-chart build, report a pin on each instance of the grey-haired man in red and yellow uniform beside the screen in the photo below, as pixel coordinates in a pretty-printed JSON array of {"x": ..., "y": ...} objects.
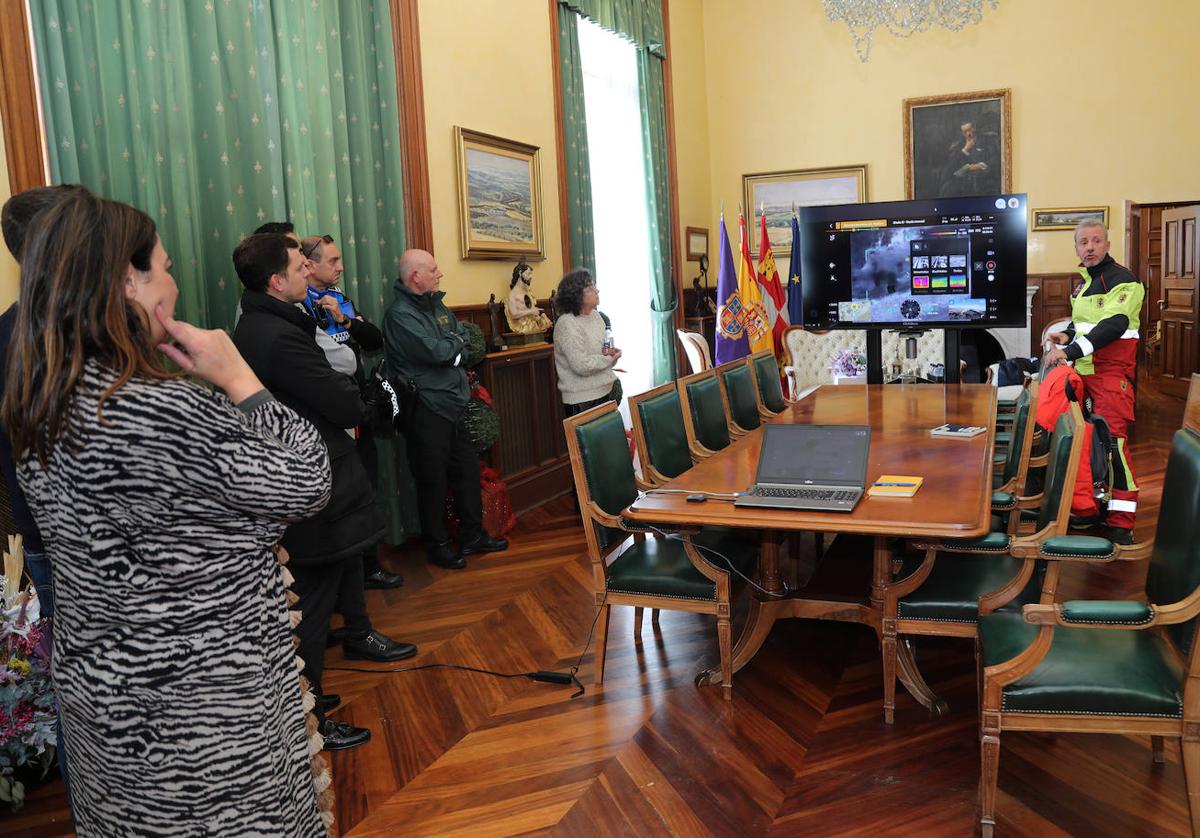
[{"x": 1102, "y": 340}]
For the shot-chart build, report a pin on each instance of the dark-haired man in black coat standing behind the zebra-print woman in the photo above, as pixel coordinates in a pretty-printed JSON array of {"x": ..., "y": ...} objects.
[{"x": 277, "y": 339}]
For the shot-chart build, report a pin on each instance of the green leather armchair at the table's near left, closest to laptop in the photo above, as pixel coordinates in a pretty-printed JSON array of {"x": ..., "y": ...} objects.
[{"x": 649, "y": 571}]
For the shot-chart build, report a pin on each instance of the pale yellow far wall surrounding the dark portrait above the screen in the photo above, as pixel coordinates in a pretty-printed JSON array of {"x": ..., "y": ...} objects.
[{"x": 1102, "y": 106}]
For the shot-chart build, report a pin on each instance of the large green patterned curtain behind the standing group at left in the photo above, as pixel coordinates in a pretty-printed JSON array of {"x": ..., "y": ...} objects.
[{"x": 215, "y": 117}]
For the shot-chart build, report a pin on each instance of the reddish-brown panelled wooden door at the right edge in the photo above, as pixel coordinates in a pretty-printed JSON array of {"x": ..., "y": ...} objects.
[{"x": 1179, "y": 304}]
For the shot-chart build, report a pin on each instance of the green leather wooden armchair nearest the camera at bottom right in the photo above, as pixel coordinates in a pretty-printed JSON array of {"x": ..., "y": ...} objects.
[{"x": 1108, "y": 667}]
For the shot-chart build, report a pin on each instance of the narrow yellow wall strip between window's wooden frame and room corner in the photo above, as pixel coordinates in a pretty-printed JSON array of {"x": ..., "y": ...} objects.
[{"x": 692, "y": 130}]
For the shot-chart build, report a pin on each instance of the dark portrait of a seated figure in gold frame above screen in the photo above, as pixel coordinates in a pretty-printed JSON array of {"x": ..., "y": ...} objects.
[{"x": 958, "y": 145}]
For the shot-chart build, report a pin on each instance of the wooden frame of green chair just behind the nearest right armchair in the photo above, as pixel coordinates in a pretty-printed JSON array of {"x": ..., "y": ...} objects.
[{"x": 1024, "y": 548}]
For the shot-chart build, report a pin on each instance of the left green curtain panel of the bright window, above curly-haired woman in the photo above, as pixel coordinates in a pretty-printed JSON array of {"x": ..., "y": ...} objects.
[{"x": 575, "y": 139}]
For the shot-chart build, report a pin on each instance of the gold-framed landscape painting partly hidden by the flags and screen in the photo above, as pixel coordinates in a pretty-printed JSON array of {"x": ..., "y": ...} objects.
[{"x": 779, "y": 193}]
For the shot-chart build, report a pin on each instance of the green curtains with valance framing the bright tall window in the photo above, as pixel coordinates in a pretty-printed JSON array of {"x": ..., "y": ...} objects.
[{"x": 641, "y": 22}]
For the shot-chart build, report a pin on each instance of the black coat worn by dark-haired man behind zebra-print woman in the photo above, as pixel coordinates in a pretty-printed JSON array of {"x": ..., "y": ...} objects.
[{"x": 277, "y": 339}]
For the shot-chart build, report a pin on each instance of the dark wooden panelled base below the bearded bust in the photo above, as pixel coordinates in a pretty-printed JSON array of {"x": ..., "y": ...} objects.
[{"x": 532, "y": 451}]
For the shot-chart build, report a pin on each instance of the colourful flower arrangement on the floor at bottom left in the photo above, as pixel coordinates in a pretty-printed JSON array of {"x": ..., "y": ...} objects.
[{"x": 28, "y": 717}]
